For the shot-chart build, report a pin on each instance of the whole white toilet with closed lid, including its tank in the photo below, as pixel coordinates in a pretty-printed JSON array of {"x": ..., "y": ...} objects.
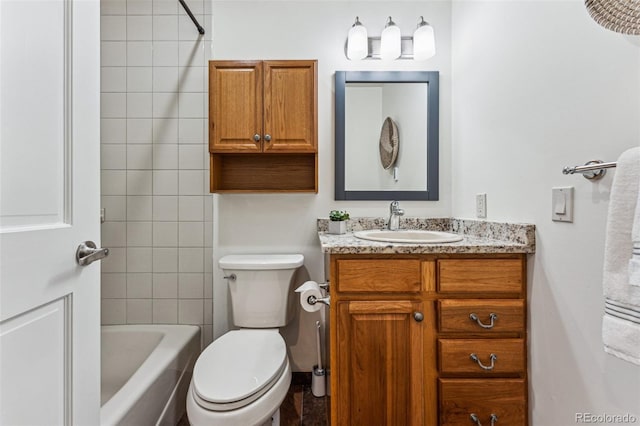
[{"x": 242, "y": 377}]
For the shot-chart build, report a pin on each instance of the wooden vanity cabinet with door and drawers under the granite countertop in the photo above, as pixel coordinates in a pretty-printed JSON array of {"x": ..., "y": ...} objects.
[{"x": 428, "y": 339}]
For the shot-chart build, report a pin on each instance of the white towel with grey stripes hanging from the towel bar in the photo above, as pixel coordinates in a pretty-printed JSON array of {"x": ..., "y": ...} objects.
[{"x": 621, "y": 321}]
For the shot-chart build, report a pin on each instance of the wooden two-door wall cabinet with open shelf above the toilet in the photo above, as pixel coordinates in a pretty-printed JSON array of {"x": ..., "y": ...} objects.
[{"x": 263, "y": 126}]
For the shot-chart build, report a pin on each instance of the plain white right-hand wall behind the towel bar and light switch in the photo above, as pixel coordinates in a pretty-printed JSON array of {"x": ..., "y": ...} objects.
[{"x": 537, "y": 86}]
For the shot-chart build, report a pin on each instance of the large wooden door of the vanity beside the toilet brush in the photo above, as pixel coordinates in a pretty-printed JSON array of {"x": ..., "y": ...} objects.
[{"x": 379, "y": 363}]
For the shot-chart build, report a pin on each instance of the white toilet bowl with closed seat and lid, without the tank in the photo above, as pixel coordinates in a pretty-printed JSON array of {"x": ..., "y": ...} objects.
[{"x": 240, "y": 379}]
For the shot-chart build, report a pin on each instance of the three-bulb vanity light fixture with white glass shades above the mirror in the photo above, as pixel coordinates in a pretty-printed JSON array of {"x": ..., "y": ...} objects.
[{"x": 390, "y": 45}]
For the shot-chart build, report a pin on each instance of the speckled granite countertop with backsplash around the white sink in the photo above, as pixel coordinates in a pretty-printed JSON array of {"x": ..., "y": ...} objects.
[{"x": 478, "y": 237}]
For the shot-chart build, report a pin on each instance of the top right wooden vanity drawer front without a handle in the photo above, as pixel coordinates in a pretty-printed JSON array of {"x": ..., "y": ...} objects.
[{"x": 480, "y": 276}]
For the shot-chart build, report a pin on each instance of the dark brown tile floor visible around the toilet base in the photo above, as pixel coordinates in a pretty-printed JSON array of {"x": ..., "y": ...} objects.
[{"x": 300, "y": 407}]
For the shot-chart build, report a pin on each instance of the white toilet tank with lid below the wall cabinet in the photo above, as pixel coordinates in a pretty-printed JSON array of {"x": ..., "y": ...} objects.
[{"x": 262, "y": 291}]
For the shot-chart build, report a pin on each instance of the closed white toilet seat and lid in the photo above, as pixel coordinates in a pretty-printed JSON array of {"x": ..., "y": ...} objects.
[{"x": 238, "y": 368}]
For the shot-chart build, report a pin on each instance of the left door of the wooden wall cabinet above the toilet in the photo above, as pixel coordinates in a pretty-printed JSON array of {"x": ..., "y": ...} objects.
[{"x": 235, "y": 104}]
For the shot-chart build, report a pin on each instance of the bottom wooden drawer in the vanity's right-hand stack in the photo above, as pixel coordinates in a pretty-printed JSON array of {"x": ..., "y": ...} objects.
[{"x": 504, "y": 398}]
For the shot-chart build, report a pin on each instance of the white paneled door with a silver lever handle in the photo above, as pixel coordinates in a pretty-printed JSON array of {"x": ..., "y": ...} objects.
[{"x": 49, "y": 204}]
